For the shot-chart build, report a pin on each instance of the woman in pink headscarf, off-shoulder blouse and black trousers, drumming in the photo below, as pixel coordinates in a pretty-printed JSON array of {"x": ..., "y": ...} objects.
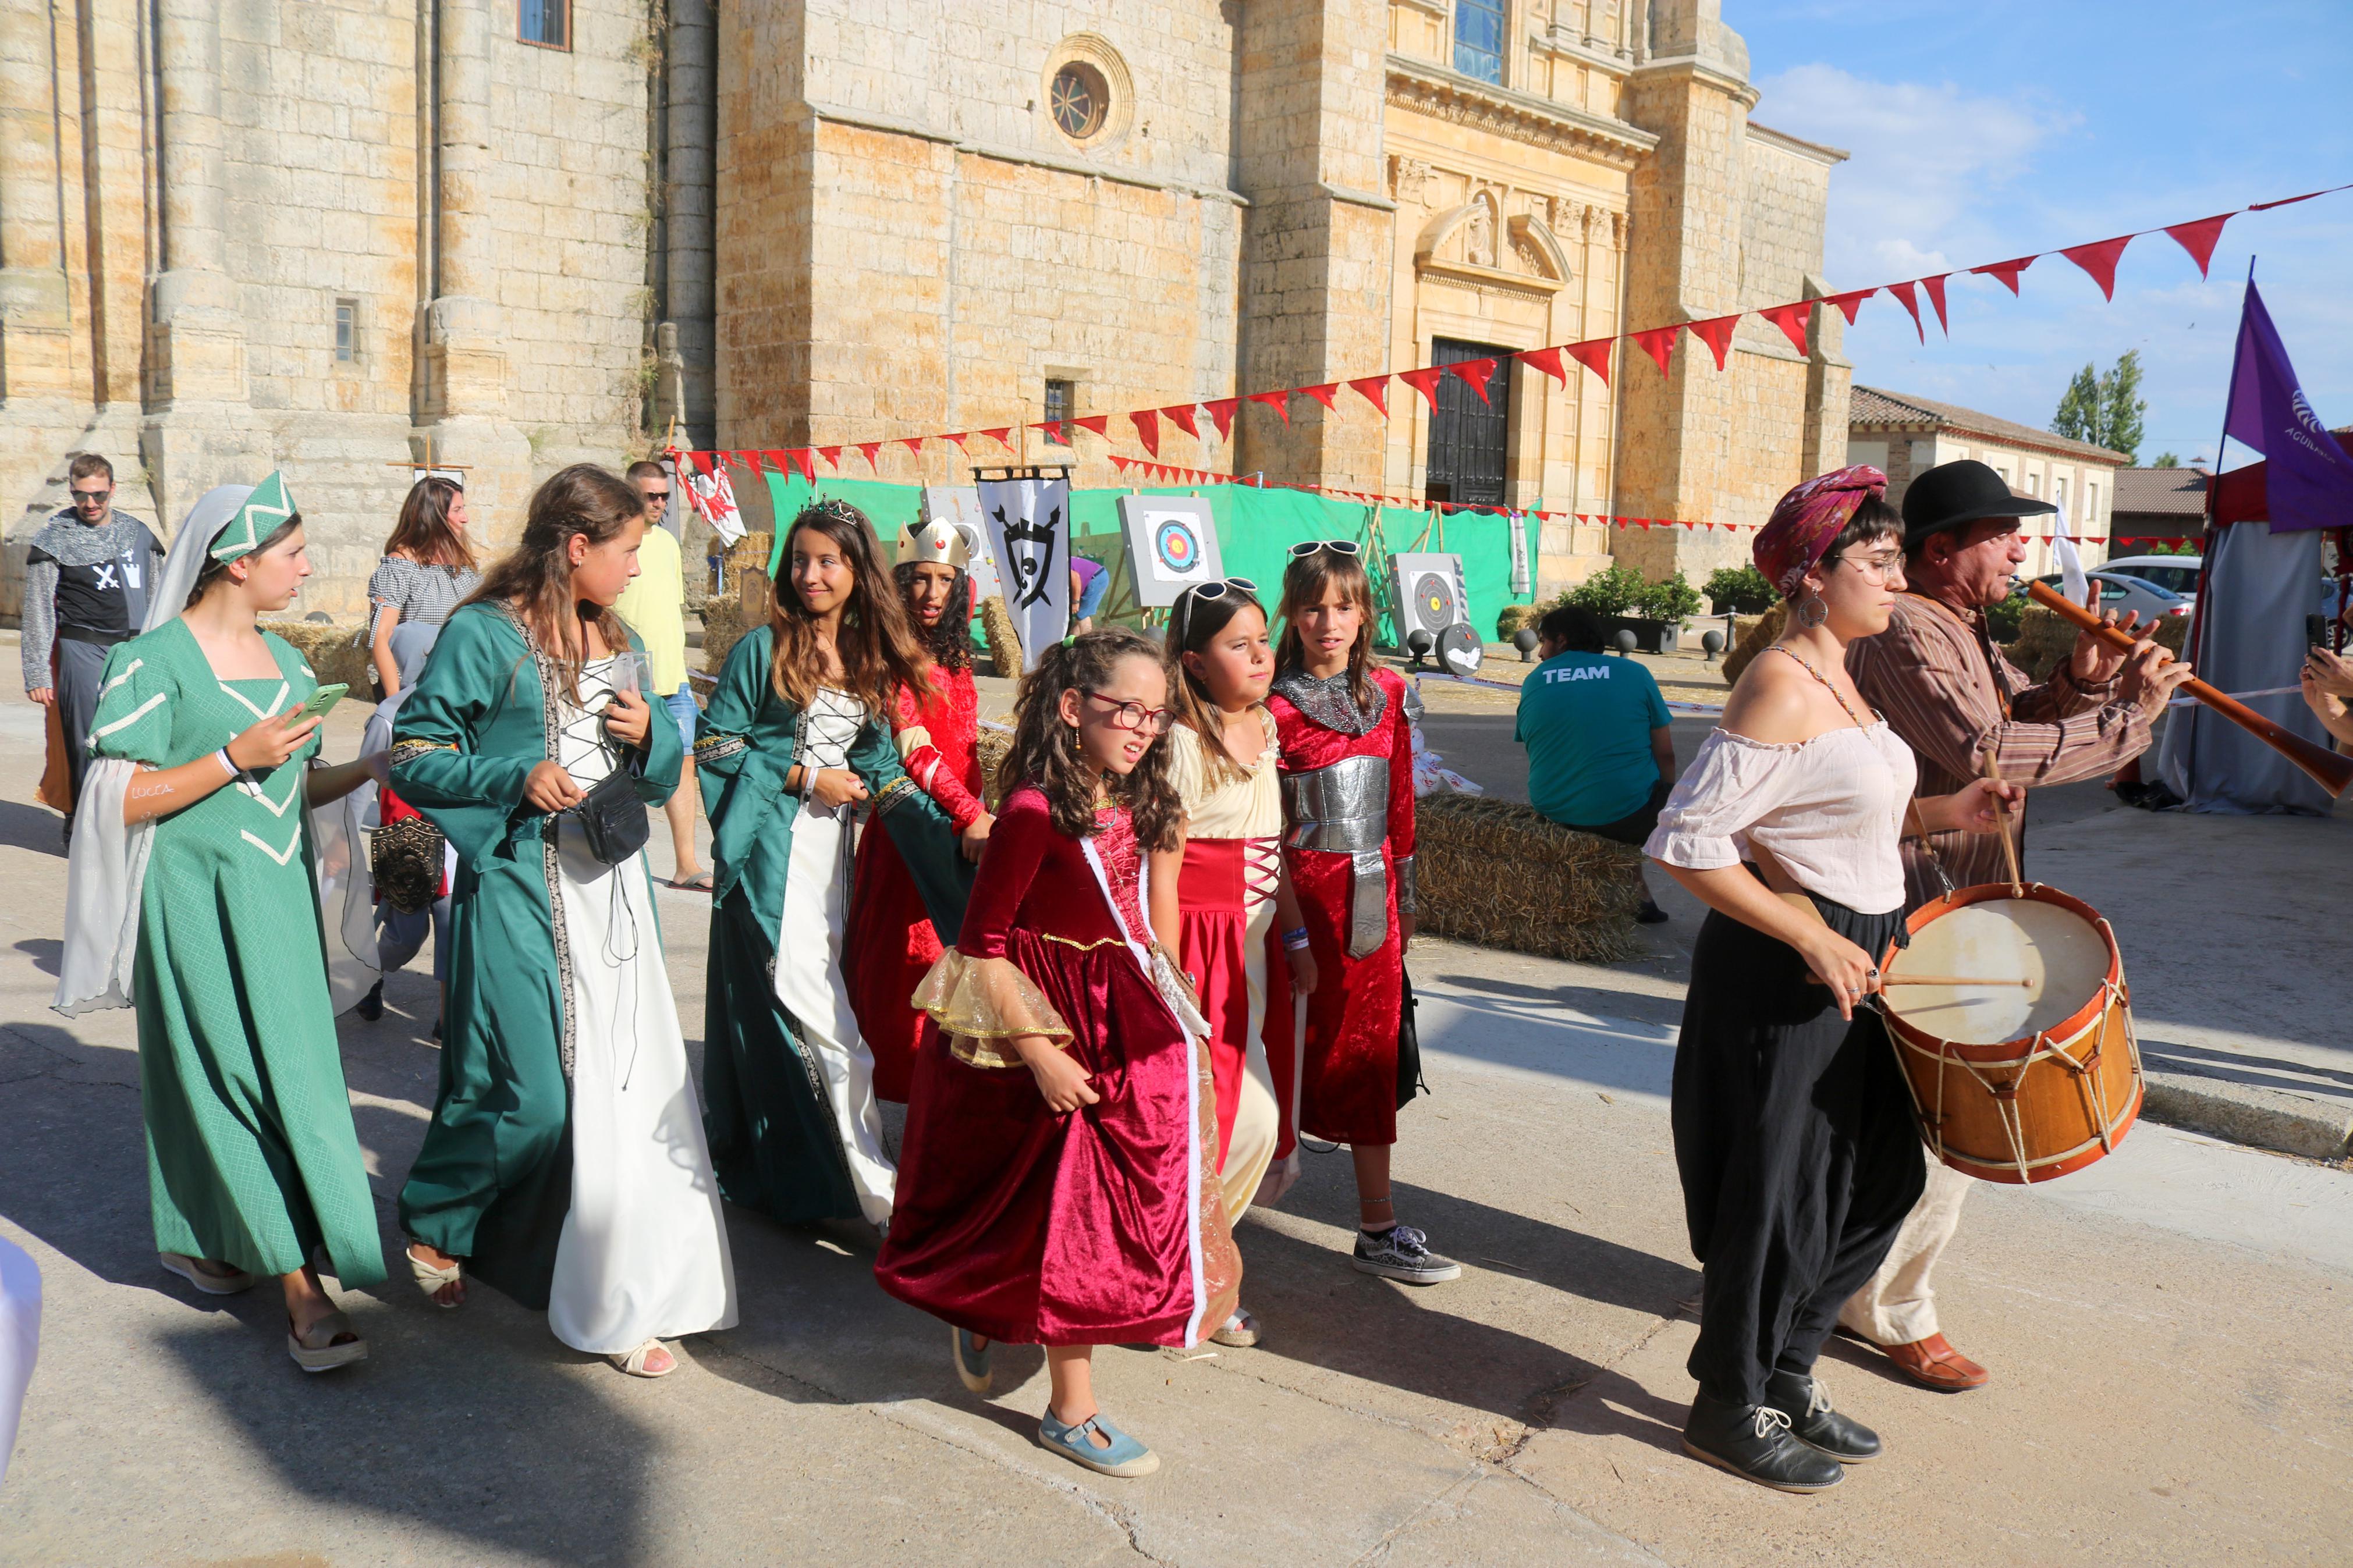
[{"x": 1794, "y": 1134}]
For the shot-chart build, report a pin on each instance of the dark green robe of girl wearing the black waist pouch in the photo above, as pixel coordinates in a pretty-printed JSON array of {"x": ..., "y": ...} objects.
[{"x": 493, "y": 1181}]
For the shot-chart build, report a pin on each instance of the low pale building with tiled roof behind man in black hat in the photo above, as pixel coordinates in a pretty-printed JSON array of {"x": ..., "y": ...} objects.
[{"x": 1907, "y": 436}]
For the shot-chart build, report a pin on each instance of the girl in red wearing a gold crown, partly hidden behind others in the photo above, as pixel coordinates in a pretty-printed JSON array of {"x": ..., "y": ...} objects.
[{"x": 891, "y": 934}]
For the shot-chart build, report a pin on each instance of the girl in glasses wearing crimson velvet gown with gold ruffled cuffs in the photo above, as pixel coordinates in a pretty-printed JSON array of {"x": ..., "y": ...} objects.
[{"x": 1072, "y": 1205}]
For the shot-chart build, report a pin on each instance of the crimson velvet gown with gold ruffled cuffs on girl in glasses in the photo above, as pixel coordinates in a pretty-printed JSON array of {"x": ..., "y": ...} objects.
[{"x": 1091, "y": 1228}]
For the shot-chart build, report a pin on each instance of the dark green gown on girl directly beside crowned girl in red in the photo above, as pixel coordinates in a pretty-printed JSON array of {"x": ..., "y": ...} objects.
[{"x": 775, "y": 1144}]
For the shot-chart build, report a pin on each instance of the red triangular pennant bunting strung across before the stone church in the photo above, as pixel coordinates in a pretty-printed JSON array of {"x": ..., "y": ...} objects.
[{"x": 2095, "y": 260}]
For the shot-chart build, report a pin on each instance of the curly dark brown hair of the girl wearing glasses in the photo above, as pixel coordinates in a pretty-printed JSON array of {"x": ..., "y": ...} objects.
[{"x": 1046, "y": 749}]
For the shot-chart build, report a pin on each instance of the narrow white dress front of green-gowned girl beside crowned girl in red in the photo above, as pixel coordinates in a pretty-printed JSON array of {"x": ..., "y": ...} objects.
[{"x": 811, "y": 956}]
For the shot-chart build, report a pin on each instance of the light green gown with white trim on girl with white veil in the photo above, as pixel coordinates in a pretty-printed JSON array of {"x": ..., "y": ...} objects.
[{"x": 253, "y": 1158}]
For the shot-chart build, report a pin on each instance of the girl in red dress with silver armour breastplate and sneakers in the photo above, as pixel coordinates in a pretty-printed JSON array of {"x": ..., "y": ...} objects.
[{"x": 1349, "y": 847}]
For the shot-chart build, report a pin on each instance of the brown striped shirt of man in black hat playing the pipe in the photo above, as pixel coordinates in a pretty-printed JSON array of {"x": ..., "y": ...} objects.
[{"x": 1947, "y": 690}]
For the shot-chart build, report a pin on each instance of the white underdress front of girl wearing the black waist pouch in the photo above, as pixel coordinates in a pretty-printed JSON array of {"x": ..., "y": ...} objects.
[{"x": 644, "y": 1252}]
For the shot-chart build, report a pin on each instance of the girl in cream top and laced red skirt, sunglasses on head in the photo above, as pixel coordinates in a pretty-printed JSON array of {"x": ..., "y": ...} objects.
[{"x": 1220, "y": 899}]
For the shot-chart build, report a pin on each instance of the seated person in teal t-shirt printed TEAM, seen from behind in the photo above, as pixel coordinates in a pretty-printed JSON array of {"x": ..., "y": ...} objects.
[{"x": 1601, "y": 756}]
